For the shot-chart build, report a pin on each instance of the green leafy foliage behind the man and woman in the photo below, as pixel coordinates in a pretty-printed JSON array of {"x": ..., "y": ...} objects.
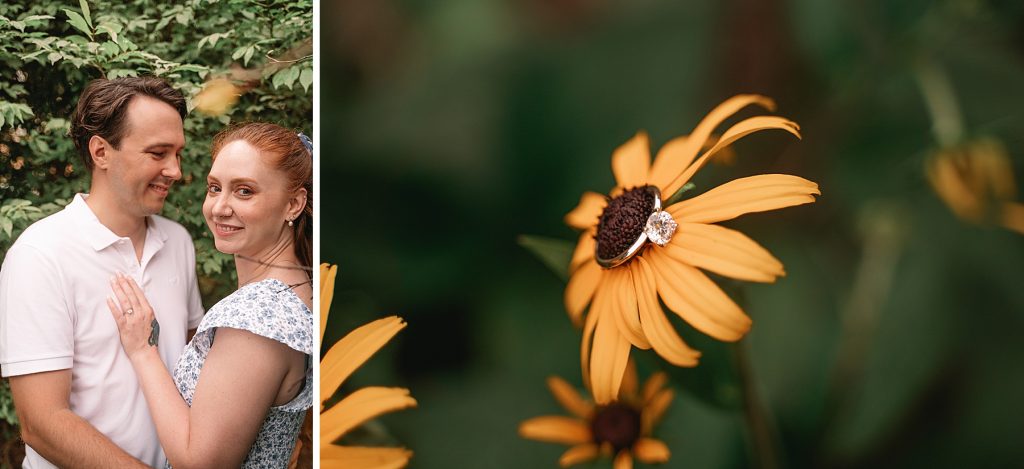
[{"x": 50, "y": 51}]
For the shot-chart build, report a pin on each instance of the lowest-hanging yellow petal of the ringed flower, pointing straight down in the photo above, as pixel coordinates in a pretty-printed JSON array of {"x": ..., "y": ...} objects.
[{"x": 610, "y": 355}]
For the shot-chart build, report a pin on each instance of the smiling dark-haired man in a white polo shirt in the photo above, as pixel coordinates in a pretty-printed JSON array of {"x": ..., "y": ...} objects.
[{"x": 74, "y": 389}]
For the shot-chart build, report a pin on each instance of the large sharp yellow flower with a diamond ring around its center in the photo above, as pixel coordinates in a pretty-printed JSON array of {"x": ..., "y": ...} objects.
[{"x": 621, "y": 275}]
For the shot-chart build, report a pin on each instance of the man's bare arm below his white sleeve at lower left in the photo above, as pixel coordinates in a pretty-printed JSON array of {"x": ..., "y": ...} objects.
[{"x": 50, "y": 427}]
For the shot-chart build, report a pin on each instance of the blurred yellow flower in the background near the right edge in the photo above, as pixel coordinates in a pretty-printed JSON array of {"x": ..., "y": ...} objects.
[{"x": 976, "y": 182}]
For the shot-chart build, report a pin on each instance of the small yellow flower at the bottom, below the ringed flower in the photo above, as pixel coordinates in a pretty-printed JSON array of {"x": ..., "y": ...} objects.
[{"x": 621, "y": 430}]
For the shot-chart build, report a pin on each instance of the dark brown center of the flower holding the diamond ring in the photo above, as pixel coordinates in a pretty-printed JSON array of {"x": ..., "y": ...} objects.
[{"x": 623, "y": 222}]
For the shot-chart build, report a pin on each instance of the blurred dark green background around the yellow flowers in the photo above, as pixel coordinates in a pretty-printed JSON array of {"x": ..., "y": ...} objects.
[{"x": 452, "y": 127}]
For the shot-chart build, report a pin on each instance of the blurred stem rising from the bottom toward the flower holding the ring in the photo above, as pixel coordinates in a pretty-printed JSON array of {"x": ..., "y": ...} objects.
[{"x": 762, "y": 434}]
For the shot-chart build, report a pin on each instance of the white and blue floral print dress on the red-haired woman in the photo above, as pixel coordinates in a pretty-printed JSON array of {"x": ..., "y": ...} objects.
[{"x": 269, "y": 309}]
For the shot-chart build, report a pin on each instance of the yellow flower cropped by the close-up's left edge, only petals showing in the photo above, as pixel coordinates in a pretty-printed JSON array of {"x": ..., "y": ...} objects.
[{"x": 347, "y": 356}]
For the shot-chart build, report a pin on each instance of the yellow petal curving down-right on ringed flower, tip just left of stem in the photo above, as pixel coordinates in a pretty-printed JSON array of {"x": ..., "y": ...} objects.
[{"x": 659, "y": 331}]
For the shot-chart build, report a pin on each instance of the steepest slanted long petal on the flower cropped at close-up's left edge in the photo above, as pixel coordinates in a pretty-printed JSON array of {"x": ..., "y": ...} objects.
[{"x": 355, "y": 350}]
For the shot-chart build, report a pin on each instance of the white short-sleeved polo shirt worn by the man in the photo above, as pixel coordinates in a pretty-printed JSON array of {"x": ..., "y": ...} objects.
[{"x": 54, "y": 316}]
